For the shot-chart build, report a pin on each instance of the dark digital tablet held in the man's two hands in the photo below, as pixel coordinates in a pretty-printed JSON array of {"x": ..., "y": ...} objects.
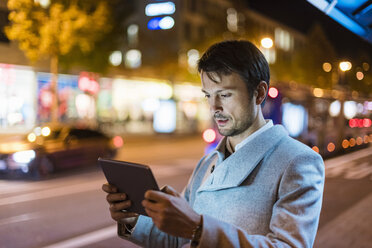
[{"x": 130, "y": 178}]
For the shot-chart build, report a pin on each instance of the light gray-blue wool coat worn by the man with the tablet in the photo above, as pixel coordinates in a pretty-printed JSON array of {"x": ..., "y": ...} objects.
[{"x": 266, "y": 194}]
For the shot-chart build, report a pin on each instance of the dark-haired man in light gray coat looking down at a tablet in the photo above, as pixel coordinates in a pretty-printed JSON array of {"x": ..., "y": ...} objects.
[{"x": 259, "y": 188}]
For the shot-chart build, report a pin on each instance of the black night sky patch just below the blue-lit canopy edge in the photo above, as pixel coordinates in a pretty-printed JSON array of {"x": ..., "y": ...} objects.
[{"x": 301, "y": 15}]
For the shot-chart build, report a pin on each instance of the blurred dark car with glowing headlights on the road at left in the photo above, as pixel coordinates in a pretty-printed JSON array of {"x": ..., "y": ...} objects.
[{"x": 53, "y": 148}]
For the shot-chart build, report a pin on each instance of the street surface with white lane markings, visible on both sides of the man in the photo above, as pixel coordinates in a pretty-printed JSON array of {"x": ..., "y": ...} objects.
[{"x": 70, "y": 210}]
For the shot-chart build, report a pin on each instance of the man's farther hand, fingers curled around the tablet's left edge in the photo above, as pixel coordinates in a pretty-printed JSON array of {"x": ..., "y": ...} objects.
[{"x": 118, "y": 203}]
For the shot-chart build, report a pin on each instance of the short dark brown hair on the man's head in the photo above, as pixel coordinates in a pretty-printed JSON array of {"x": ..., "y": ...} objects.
[{"x": 239, "y": 56}]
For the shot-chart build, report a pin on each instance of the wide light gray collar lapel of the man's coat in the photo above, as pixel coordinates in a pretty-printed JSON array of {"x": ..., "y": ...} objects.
[{"x": 237, "y": 167}]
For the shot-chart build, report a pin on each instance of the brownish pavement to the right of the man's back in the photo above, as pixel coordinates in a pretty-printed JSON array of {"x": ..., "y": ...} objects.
[{"x": 347, "y": 204}]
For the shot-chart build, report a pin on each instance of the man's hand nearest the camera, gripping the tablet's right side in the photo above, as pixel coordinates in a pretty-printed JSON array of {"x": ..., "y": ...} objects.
[{"x": 171, "y": 213}]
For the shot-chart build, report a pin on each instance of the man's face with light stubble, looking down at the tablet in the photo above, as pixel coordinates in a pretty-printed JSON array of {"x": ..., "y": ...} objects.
[{"x": 232, "y": 108}]
